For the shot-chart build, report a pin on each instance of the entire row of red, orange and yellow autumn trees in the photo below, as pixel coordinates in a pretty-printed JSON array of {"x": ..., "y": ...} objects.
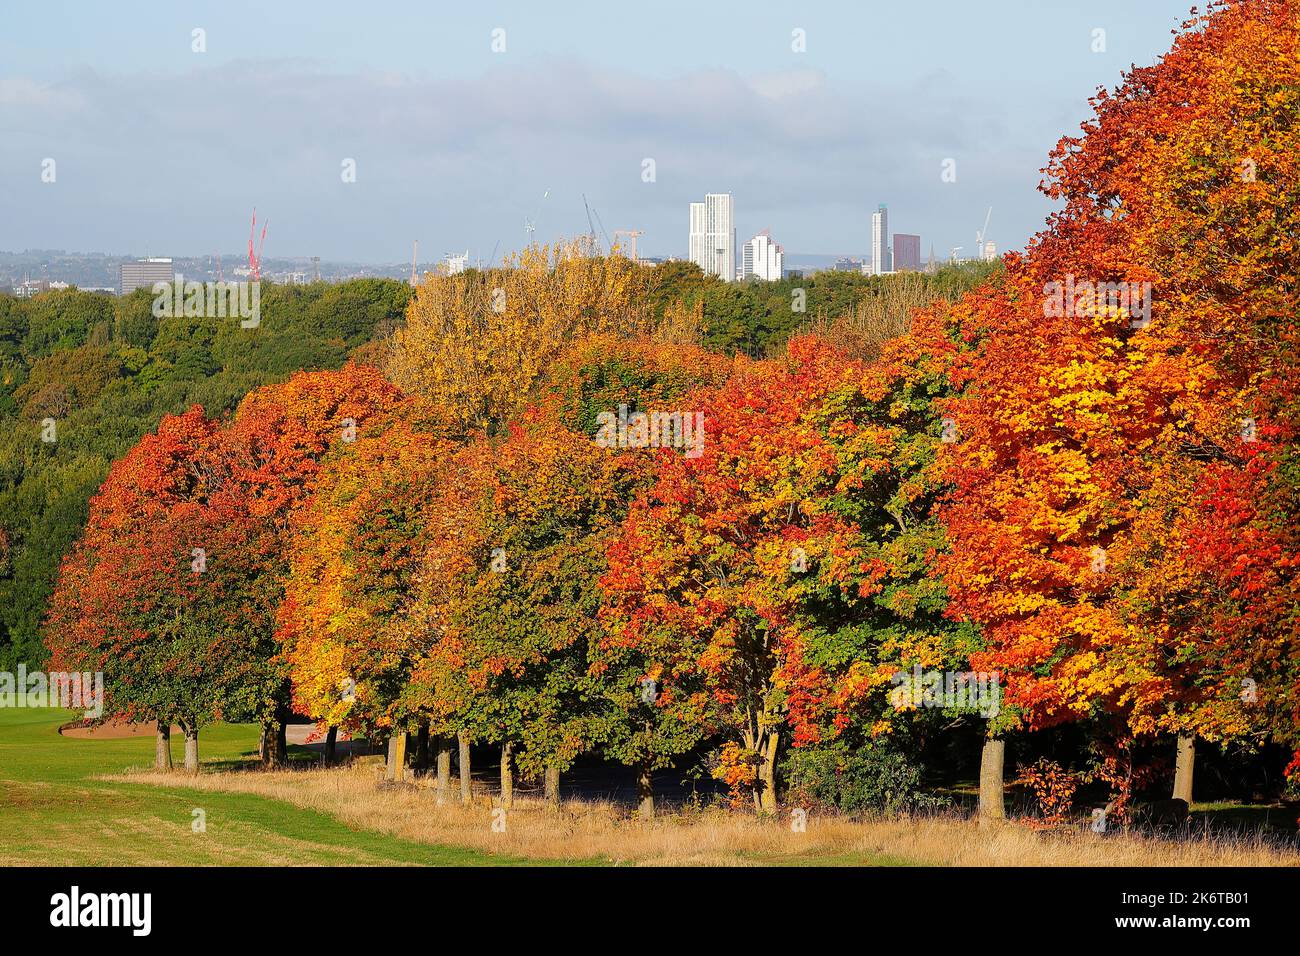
[{"x": 1093, "y": 498}]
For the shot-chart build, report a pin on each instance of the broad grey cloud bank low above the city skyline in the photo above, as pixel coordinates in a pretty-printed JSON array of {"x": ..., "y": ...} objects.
[{"x": 151, "y": 161}]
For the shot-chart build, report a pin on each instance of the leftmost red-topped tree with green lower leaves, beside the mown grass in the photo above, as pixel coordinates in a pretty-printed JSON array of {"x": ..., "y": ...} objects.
[{"x": 136, "y": 599}]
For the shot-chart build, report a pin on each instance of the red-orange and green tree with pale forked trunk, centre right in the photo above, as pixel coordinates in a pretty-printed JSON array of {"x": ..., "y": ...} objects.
[{"x": 777, "y": 582}]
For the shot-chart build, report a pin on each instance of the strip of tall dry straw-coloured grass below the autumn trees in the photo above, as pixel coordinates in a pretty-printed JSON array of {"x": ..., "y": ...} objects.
[{"x": 603, "y": 833}]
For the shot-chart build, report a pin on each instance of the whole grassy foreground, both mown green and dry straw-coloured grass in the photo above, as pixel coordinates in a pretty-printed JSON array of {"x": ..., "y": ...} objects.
[{"x": 97, "y": 802}]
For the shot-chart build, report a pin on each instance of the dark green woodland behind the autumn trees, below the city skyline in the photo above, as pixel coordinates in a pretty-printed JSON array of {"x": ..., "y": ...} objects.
[{"x": 107, "y": 371}]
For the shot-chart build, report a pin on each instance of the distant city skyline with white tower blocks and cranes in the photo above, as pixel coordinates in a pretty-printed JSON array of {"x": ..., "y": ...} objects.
[{"x": 712, "y": 244}]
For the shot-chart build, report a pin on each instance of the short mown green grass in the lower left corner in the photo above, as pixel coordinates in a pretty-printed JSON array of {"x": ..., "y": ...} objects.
[{"x": 53, "y": 811}]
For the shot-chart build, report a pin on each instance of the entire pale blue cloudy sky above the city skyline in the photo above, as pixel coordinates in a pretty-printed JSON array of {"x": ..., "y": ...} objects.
[{"x": 161, "y": 149}]
